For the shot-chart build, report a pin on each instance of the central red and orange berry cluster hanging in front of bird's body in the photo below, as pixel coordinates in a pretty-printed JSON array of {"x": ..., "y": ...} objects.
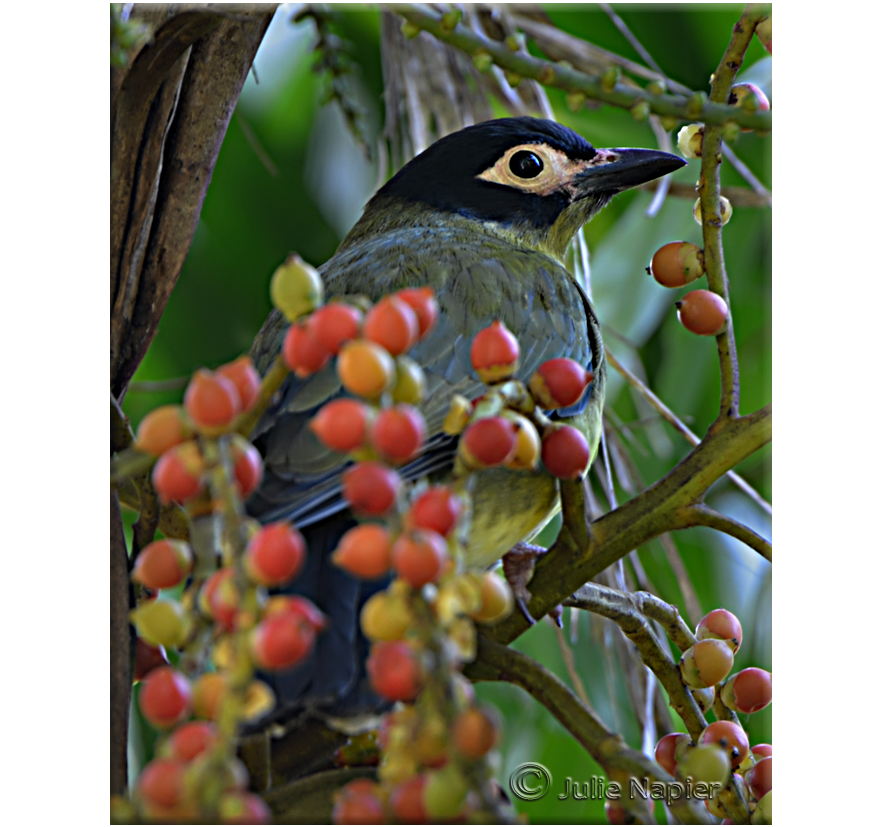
[{"x": 422, "y": 626}]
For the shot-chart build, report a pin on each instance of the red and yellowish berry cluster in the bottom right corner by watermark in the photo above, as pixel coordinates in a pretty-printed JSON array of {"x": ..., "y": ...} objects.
[{"x": 722, "y": 752}]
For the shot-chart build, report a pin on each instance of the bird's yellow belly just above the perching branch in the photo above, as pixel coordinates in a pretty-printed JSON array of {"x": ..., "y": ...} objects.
[{"x": 508, "y": 507}]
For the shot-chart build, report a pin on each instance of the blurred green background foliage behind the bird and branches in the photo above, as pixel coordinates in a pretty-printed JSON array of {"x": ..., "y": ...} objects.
[{"x": 252, "y": 218}]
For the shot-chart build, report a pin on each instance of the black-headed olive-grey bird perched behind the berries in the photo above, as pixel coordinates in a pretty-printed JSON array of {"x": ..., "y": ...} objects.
[{"x": 483, "y": 216}]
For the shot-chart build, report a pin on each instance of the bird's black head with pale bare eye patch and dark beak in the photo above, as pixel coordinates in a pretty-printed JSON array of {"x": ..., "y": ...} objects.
[{"x": 532, "y": 179}]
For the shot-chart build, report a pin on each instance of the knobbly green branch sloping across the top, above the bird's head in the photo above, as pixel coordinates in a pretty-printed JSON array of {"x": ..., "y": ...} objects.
[{"x": 568, "y": 79}]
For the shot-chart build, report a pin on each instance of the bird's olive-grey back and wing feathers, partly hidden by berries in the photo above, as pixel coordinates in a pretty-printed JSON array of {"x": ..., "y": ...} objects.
[{"x": 477, "y": 278}]
